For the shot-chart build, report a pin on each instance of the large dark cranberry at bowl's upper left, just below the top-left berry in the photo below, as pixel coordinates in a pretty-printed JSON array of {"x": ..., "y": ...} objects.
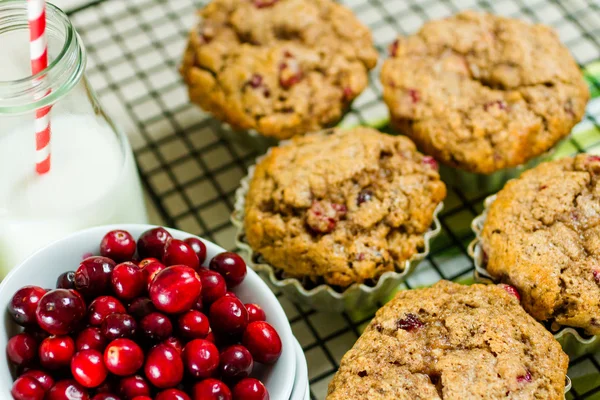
[{"x": 92, "y": 278}]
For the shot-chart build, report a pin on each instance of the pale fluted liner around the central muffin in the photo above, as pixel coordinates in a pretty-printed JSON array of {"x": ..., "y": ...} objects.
[{"x": 324, "y": 297}]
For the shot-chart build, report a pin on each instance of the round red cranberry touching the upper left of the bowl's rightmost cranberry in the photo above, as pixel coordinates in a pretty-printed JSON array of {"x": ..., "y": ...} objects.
[{"x": 228, "y": 316}]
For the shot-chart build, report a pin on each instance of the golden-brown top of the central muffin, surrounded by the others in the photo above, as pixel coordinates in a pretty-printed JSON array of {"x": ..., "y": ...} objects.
[{"x": 342, "y": 206}]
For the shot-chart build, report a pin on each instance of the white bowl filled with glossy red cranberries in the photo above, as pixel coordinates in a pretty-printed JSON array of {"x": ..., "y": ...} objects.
[{"x": 137, "y": 312}]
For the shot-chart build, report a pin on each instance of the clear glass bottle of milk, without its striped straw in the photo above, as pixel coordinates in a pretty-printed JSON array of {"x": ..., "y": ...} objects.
[{"x": 92, "y": 178}]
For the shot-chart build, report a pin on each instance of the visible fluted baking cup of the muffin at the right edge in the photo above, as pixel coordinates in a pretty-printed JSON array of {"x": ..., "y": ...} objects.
[{"x": 572, "y": 341}]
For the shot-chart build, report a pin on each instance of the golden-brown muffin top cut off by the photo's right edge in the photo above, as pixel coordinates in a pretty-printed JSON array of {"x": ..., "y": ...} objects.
[{"x": 542, "y": 235}]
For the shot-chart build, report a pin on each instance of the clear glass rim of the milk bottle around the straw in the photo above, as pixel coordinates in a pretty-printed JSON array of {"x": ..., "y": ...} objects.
[{"x": 63, "y": 72}]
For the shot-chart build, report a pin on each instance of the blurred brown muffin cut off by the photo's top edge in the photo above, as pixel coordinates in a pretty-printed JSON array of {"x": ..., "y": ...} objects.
[{"x": 280, "y": 67}]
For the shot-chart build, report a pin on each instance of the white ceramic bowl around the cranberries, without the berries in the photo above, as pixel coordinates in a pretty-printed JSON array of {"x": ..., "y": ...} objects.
[{"x": 43, "y": 267}]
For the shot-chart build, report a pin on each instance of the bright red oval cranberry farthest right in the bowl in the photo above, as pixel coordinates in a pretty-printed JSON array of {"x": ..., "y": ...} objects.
[{"x": 263, "y": 342}]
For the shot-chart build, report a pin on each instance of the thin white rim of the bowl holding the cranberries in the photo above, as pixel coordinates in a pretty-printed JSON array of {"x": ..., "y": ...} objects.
[{"x": 286, "y": 335}]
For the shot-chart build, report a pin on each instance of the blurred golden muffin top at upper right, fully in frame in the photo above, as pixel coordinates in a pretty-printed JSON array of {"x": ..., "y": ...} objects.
[{"x": 482, "y": 92}]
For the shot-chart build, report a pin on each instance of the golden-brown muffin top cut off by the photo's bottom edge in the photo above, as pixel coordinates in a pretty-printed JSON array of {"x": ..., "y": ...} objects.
[{"x": 452, "y": 342}]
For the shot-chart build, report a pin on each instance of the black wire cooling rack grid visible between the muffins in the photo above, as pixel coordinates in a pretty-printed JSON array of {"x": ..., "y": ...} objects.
[{"x": 190, "y": 166}]
